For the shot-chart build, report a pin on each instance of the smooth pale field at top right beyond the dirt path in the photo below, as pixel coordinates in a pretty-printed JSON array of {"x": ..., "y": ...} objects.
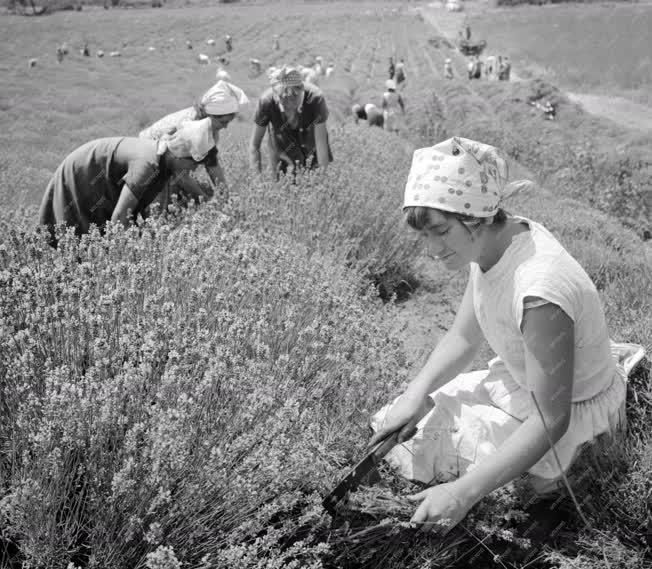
[{"x": 604, "y": 49}]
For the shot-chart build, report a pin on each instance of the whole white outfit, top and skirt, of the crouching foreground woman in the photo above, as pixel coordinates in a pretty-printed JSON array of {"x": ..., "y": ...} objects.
[{"x": 477, "y": 411}]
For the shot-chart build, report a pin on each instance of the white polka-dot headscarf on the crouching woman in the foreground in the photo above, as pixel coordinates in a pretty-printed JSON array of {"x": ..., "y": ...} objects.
[{"x": 461, "y": 176}]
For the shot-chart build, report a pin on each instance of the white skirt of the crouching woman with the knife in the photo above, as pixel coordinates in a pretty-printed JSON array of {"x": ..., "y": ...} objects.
[{"x": 477, "y": 411}]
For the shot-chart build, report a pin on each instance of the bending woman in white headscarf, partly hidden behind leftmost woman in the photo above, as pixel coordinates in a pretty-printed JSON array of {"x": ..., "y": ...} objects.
[{"x": 221, "y": 103}]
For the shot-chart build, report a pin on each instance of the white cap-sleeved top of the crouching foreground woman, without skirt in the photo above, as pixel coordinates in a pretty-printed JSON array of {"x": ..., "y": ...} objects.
[{"x": 535, "y": 264}]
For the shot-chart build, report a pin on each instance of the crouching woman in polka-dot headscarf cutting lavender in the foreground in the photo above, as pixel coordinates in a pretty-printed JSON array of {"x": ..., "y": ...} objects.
[{"x": 556, "y": 374}]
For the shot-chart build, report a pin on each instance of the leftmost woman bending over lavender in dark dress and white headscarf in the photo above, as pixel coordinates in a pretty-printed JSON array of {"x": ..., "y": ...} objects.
[{"x": 116, "y": 179}]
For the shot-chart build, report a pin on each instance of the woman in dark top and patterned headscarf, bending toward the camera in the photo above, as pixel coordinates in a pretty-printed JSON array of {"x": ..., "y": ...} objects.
[{"x": 294, "y": 114}]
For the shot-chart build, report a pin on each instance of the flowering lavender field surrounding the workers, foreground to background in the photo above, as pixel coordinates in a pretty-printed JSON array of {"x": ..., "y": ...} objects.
[{"x": 229, "y": 353}]
